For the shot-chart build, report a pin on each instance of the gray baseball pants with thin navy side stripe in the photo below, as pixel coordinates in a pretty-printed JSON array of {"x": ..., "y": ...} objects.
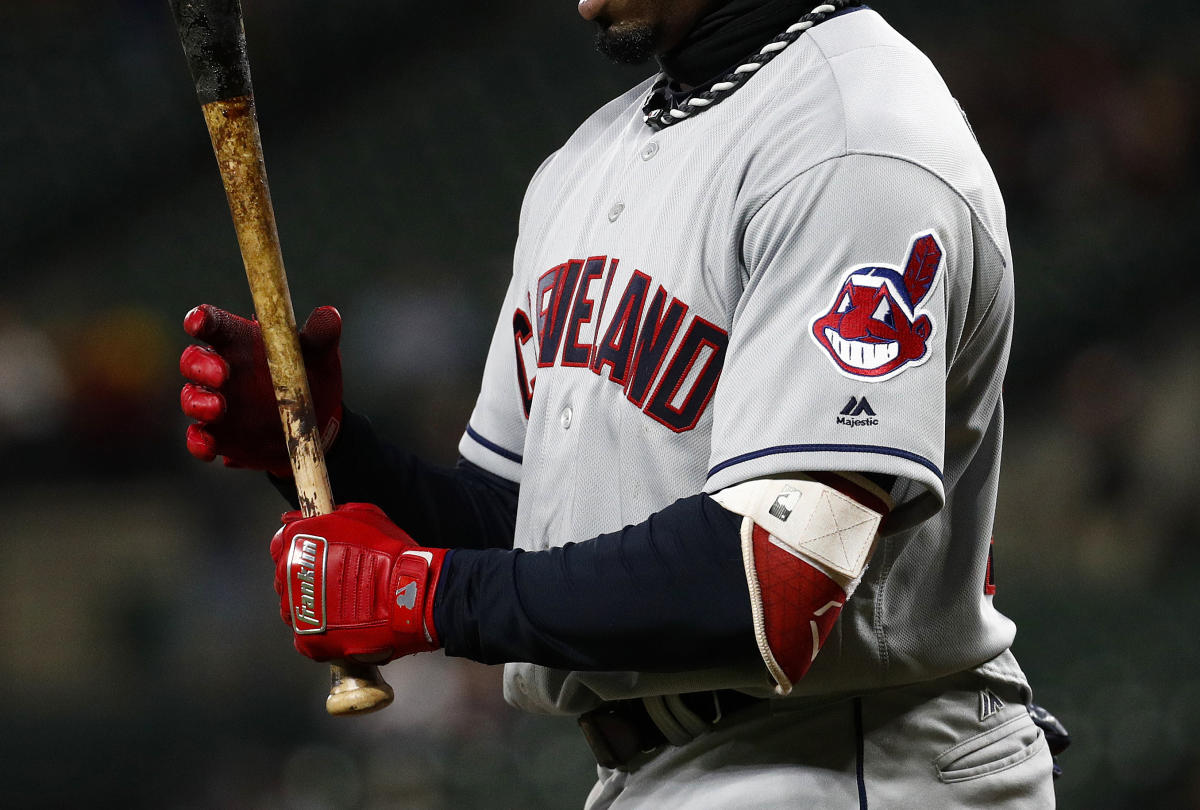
[{"x": 938, "y": 746}]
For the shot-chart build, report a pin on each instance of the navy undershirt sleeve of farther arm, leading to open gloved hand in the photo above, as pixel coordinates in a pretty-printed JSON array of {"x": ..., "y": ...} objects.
[{"x": 460, "y": 507}]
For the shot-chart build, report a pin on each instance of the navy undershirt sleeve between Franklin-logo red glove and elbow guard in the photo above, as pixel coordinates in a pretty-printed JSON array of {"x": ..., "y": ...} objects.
[{"x": 668, "y": 595}]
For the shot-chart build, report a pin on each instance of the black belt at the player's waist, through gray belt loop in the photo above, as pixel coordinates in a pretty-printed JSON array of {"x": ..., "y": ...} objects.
[{"x": 620, "y": 731}]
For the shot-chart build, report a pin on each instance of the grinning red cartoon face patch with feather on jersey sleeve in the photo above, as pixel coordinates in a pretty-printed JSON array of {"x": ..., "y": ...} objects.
[{"x": 875, "y": 328}]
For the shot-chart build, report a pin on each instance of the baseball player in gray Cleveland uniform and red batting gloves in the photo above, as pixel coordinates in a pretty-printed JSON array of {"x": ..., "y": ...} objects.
[{"x": 727, "y": 495}]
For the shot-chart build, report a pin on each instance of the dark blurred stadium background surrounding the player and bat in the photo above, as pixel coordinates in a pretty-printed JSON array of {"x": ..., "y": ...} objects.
[{"x": 145, "y": 662}]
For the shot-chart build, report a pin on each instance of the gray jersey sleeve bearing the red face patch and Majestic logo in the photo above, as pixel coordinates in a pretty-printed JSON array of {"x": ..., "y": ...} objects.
[{"x": 838, "y": 350}]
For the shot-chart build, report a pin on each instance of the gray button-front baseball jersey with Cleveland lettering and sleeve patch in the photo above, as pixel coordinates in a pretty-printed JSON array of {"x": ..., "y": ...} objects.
[{"x": 813, "y": 275}]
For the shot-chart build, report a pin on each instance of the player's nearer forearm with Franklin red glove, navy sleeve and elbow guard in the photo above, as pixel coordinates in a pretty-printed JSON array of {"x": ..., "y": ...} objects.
[{"x": 754, "y": 575}]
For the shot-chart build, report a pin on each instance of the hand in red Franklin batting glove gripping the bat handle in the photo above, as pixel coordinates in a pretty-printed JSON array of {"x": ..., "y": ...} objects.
[{"x": 355, "y": 585}]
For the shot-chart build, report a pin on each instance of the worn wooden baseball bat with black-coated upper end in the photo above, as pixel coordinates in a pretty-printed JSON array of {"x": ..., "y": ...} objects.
[{"x": 215, "y": 45}]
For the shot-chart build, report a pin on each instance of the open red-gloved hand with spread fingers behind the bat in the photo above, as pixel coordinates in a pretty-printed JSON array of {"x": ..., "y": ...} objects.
[{"x": 230, "y": 392}]
